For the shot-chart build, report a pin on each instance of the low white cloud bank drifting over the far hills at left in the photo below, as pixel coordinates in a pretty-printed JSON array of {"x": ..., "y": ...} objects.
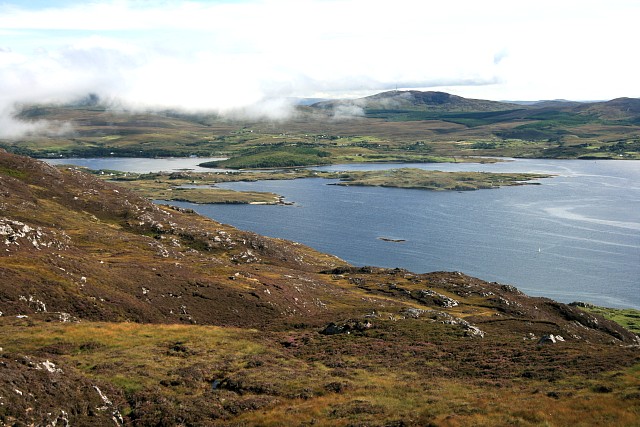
[{"x": 140, "y": 79}]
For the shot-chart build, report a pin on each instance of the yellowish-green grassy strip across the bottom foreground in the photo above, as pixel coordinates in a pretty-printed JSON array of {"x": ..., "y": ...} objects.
[{"x": 231, "y": 376}]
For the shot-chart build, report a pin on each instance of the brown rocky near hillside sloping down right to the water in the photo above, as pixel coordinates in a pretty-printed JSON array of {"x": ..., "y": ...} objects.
[{"x": 118, "y": 311}]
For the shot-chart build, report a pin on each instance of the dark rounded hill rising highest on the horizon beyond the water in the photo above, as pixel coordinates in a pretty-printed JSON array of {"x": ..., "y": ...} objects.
[{"x": 418, "y": 100}]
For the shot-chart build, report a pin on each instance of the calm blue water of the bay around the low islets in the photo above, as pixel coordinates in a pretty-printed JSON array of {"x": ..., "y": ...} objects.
[{"x": 575, "y": 237}]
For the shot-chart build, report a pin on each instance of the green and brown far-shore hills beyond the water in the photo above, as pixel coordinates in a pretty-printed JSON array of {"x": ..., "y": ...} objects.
[{"x": 395, "y": 126}]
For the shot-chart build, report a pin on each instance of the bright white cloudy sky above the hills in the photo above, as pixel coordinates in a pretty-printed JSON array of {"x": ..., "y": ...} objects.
[{"x": 255, "y": 55}]
